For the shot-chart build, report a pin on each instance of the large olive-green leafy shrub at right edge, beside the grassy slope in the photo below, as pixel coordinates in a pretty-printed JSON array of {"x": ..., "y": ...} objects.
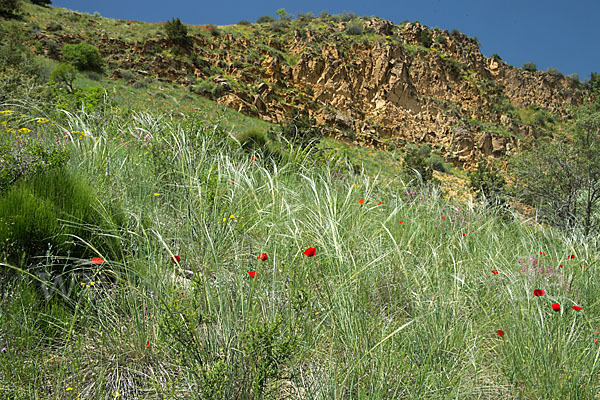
[{"x": 561, "y": 179}]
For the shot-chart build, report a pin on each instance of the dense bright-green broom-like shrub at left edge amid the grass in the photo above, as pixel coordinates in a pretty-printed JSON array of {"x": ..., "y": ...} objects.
[{"x": 30, "y": 213}]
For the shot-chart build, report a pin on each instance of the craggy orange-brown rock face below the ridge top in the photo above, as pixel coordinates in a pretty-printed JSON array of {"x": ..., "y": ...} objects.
[{"x": 385, "y": 90}]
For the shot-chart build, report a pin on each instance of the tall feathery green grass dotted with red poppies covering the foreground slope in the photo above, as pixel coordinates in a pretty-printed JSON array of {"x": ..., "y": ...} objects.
[{"x": 217, "y": 294}]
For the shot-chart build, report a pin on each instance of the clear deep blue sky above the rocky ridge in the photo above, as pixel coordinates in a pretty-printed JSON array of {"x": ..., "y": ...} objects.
[{"x": 550, "y": 33}]
